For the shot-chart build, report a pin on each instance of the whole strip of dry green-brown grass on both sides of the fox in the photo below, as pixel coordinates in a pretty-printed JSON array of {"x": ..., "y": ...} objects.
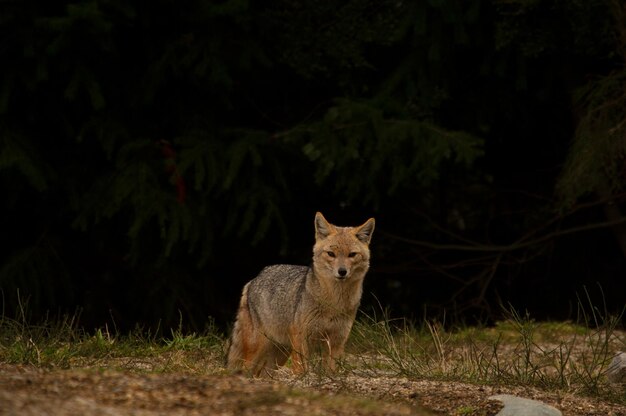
[{"x": 564, "y": 356}]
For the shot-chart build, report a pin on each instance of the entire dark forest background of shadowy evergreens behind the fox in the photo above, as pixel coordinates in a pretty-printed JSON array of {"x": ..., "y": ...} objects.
[{"x": 154, "y": 156}]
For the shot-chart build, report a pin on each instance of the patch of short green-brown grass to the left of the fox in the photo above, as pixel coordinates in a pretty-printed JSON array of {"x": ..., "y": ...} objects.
[{"x": 60, "y": 343}]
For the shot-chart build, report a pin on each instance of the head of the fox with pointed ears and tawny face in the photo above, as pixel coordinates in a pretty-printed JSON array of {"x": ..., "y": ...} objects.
[{"x": 342, "y": 252}]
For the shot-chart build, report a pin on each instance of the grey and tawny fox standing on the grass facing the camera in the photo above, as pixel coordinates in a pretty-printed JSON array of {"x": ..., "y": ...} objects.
[{"x": 295, "y": 311}]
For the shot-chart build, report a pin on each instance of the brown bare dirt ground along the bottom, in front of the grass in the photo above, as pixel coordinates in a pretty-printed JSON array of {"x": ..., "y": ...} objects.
[{"x": 31, "y": 391}]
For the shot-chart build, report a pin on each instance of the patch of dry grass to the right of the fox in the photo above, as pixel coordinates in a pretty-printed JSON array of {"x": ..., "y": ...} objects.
[{"x": 566, "y": 356}]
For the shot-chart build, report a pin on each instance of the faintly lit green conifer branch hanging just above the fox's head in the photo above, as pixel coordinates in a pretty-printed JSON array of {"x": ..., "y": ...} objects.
[{"x": 369, "y": 156}]
